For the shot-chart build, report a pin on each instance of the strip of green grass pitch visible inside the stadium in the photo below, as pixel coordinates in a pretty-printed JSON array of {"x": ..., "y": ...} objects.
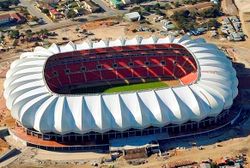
[{"x": 136, "y": 87}]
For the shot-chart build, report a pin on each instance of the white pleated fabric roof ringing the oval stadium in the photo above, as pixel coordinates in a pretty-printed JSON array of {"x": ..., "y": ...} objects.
[{"x": 35, "y": 106}]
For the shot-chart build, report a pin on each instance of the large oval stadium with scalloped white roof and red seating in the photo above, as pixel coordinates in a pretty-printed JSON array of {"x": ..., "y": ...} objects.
[{"x": 87, "y": 94}]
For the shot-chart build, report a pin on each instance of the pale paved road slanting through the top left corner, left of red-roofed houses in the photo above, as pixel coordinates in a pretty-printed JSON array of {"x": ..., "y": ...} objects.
[{"x": 34, "y": 11}]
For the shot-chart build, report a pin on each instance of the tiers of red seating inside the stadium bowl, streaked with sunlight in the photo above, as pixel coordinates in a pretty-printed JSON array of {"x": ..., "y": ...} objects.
[{"x": 120, "y": 63}]
